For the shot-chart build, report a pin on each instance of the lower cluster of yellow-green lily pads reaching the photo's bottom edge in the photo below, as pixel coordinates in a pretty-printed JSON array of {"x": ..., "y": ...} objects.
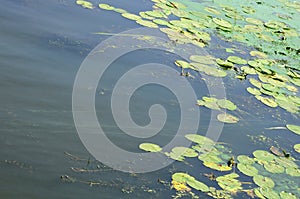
[{"x": 260, "y": 170}]
